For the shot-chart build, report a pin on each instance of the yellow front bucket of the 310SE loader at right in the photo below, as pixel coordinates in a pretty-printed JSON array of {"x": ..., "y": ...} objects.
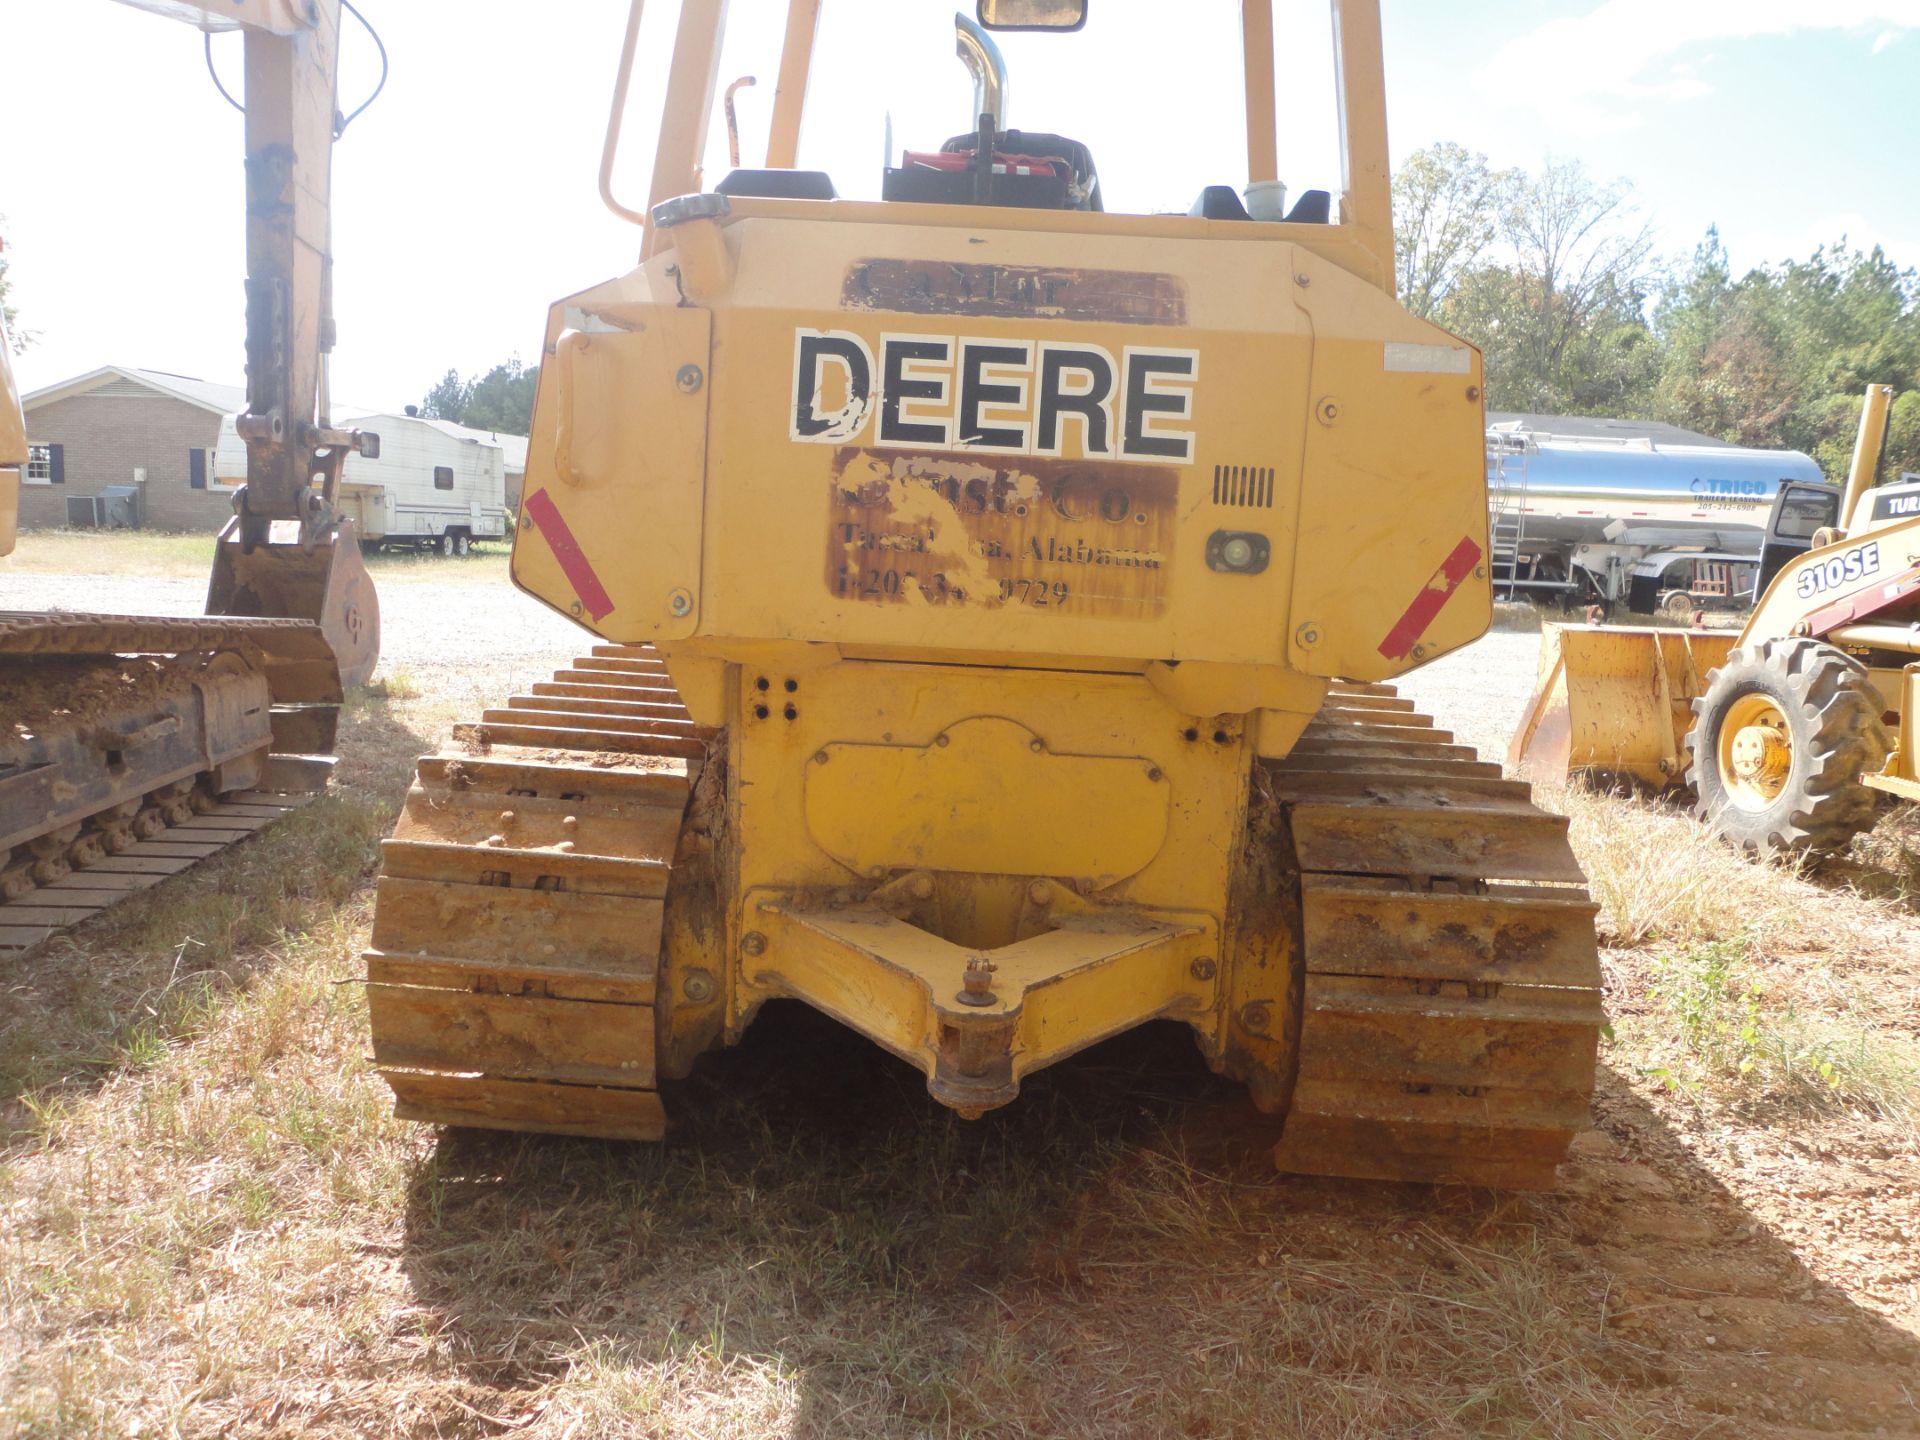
[{"x": 1616, "y": 704}]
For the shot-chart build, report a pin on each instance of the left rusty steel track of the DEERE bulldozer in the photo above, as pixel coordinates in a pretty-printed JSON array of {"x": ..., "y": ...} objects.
[{"x": 521, "y": 907}]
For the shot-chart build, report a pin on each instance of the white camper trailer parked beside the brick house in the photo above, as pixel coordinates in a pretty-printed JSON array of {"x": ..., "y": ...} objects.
[{"x": 435, "y": 485}]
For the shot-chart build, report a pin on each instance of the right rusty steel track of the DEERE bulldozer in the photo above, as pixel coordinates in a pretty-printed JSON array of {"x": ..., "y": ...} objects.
[{"x": 1452, "y": 1015}]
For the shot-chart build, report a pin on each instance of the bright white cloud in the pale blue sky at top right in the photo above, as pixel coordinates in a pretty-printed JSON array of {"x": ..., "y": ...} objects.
[{"x": 1598, "y": 72}]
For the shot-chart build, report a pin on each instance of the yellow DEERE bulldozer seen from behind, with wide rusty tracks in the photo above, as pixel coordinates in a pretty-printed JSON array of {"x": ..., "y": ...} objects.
[{"x": 996, "y": 602}]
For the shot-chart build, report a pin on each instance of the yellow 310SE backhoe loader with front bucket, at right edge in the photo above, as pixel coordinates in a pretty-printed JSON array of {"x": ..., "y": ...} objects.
[{"x": 1790, "y": 729}]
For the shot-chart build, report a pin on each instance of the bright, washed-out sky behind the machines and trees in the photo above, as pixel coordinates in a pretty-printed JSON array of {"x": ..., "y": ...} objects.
[{"x": 466, "y": 199}]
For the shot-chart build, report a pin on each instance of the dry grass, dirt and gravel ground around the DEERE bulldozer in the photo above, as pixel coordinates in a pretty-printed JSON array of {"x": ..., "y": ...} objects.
[{"x": 218, "y": 1230}]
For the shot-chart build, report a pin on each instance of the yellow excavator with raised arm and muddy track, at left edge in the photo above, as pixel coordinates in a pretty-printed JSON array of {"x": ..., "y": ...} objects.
[{"x": 137, "y": 746}]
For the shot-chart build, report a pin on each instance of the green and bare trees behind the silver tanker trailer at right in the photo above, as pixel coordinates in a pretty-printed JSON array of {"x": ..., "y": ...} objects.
[{"x": 1558, "y": 279}]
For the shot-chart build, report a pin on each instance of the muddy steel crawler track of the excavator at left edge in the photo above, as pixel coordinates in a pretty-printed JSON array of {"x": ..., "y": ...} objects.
[{"x": 133, "y": 748}]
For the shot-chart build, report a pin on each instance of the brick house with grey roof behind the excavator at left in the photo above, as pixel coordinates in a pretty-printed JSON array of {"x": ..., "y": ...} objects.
[{"x": 124, "y": 427}]
